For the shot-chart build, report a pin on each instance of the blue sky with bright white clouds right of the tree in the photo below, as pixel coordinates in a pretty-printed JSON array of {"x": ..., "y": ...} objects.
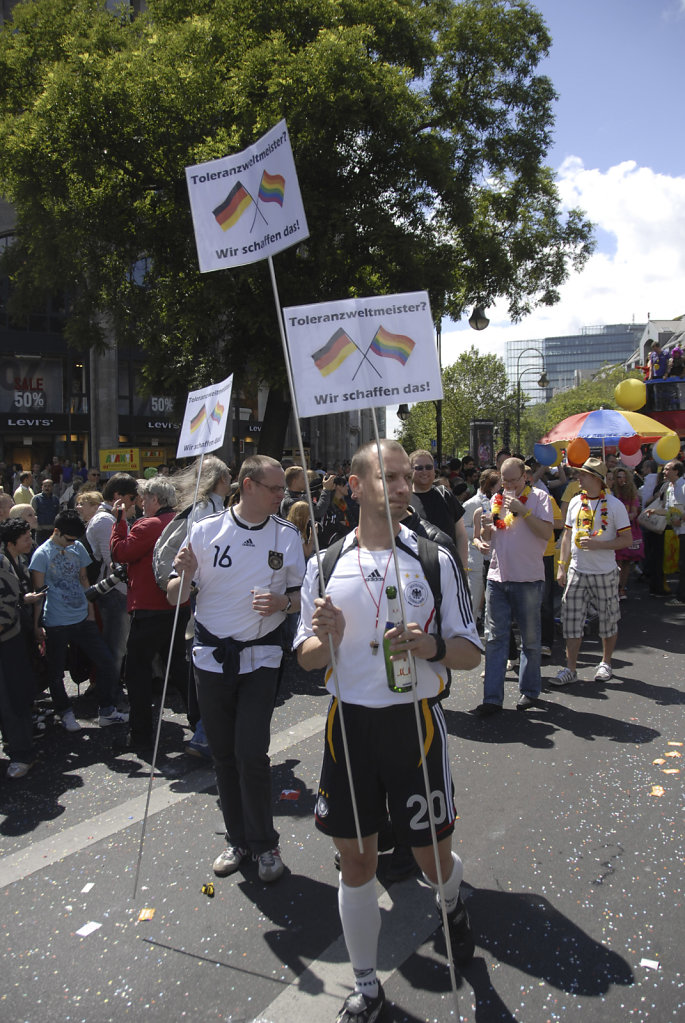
[{"x": 619, "y": 154}]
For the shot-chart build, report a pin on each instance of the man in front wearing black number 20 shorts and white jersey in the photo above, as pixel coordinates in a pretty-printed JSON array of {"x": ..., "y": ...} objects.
[{"x": 381, "y": 724}]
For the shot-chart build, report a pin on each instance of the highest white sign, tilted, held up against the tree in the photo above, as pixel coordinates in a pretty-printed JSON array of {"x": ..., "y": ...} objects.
[{"x": 247, "y": 207}]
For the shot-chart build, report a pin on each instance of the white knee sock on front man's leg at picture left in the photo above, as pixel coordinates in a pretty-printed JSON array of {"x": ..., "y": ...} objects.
[{"x": 361, "y": 926}]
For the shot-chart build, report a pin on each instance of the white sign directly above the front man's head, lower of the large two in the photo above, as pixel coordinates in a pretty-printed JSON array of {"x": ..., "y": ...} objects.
[{"x": 360, "y": 353}]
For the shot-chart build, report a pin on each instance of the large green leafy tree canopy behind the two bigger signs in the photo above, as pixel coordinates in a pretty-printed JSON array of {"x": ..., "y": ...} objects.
[{"x": 420, "y": 132}]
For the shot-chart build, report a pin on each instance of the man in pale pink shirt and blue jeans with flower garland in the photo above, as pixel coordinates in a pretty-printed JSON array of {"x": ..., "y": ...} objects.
[{"x": 518, "y": 529}]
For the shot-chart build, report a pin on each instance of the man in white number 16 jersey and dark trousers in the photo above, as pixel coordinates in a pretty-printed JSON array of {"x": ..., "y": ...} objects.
[{"x": 248, "y": 565}]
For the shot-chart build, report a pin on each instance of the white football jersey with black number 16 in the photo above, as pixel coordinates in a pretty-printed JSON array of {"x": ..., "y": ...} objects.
[{"x": 234, "y": 558}]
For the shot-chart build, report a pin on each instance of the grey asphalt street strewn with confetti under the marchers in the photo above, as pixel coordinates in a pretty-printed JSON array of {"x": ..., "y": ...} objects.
[{"x": 570, "y": 828}]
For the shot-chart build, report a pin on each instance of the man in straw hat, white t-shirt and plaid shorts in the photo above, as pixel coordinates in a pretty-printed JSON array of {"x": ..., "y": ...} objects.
[{"x": 598, "y": 526}]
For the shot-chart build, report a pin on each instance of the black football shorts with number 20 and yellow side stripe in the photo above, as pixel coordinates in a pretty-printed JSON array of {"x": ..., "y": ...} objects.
[{"x": 386, "y": 761}]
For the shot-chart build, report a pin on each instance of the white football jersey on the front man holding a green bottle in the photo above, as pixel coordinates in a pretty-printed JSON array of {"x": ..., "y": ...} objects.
[{"x": 357, "y": 585}]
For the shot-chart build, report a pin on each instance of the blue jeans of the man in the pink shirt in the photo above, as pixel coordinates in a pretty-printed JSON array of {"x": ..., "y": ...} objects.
[{"x": 507, "y": 601}]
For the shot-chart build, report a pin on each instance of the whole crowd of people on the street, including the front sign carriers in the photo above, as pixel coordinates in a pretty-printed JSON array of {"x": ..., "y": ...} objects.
[{"x": 219, "y": 579}]
